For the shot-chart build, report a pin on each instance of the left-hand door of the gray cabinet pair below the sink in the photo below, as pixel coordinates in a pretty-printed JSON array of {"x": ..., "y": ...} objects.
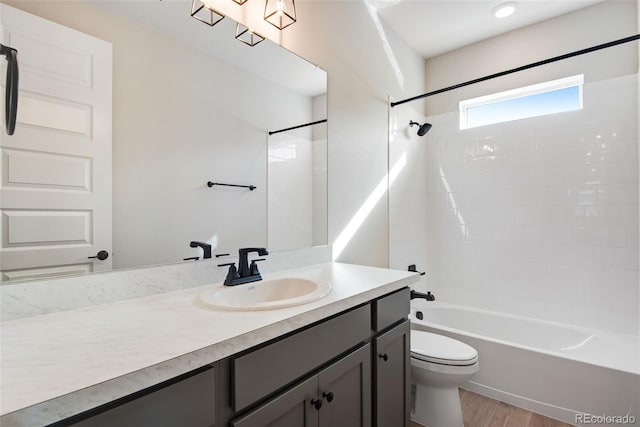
[{"x": 290, "y": 409}]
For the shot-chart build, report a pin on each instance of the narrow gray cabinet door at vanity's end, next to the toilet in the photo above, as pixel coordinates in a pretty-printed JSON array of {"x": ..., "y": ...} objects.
[{"x": 392, "y": 376}]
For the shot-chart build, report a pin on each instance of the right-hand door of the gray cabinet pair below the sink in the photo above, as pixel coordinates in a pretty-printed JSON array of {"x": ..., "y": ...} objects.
[{"x": 345, "y": 390}]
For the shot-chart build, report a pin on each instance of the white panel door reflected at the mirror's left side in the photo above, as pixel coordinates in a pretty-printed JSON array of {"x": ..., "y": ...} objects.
[{"x": 55, "y": 188}]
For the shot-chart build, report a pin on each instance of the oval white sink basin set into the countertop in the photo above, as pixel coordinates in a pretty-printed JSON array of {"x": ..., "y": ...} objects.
[{"x": 265, "y": 294}]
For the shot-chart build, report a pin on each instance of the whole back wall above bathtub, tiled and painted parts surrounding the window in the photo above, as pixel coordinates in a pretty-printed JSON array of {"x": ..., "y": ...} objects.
[{"x": 537, "y": 217}]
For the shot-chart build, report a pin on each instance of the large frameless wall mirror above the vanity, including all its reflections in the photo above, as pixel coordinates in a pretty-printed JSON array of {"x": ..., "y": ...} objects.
[{"x": 190, "y": 104}]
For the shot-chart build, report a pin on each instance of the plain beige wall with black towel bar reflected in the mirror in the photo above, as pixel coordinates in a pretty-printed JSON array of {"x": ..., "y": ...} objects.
[{"x": 180, "y": 120}]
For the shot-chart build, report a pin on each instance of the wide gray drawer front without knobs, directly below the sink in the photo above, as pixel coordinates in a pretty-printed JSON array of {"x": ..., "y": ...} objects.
[{"x": 263, "y": 371}]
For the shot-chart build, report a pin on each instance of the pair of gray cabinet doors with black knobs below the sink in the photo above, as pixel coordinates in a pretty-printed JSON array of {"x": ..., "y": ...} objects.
[{"x": 338, "y": 396}]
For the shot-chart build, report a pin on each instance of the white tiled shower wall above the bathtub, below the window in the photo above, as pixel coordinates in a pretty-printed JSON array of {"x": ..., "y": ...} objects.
[{"x": 536, "y": 217}]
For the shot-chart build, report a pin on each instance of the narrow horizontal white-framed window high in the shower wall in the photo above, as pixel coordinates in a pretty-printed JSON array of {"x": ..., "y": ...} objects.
[{"x": 551, "y": 97}]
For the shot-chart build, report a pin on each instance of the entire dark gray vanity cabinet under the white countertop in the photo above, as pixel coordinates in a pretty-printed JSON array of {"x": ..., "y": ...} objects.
[{"x": 348, "y": 370}]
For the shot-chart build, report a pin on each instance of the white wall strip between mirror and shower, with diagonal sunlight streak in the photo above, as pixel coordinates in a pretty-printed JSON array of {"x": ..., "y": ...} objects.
[{"x": 366, "y": 62}]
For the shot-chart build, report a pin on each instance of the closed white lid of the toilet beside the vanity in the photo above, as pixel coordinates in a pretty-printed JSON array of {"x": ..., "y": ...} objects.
[{"x": 436, "y": 348}]
